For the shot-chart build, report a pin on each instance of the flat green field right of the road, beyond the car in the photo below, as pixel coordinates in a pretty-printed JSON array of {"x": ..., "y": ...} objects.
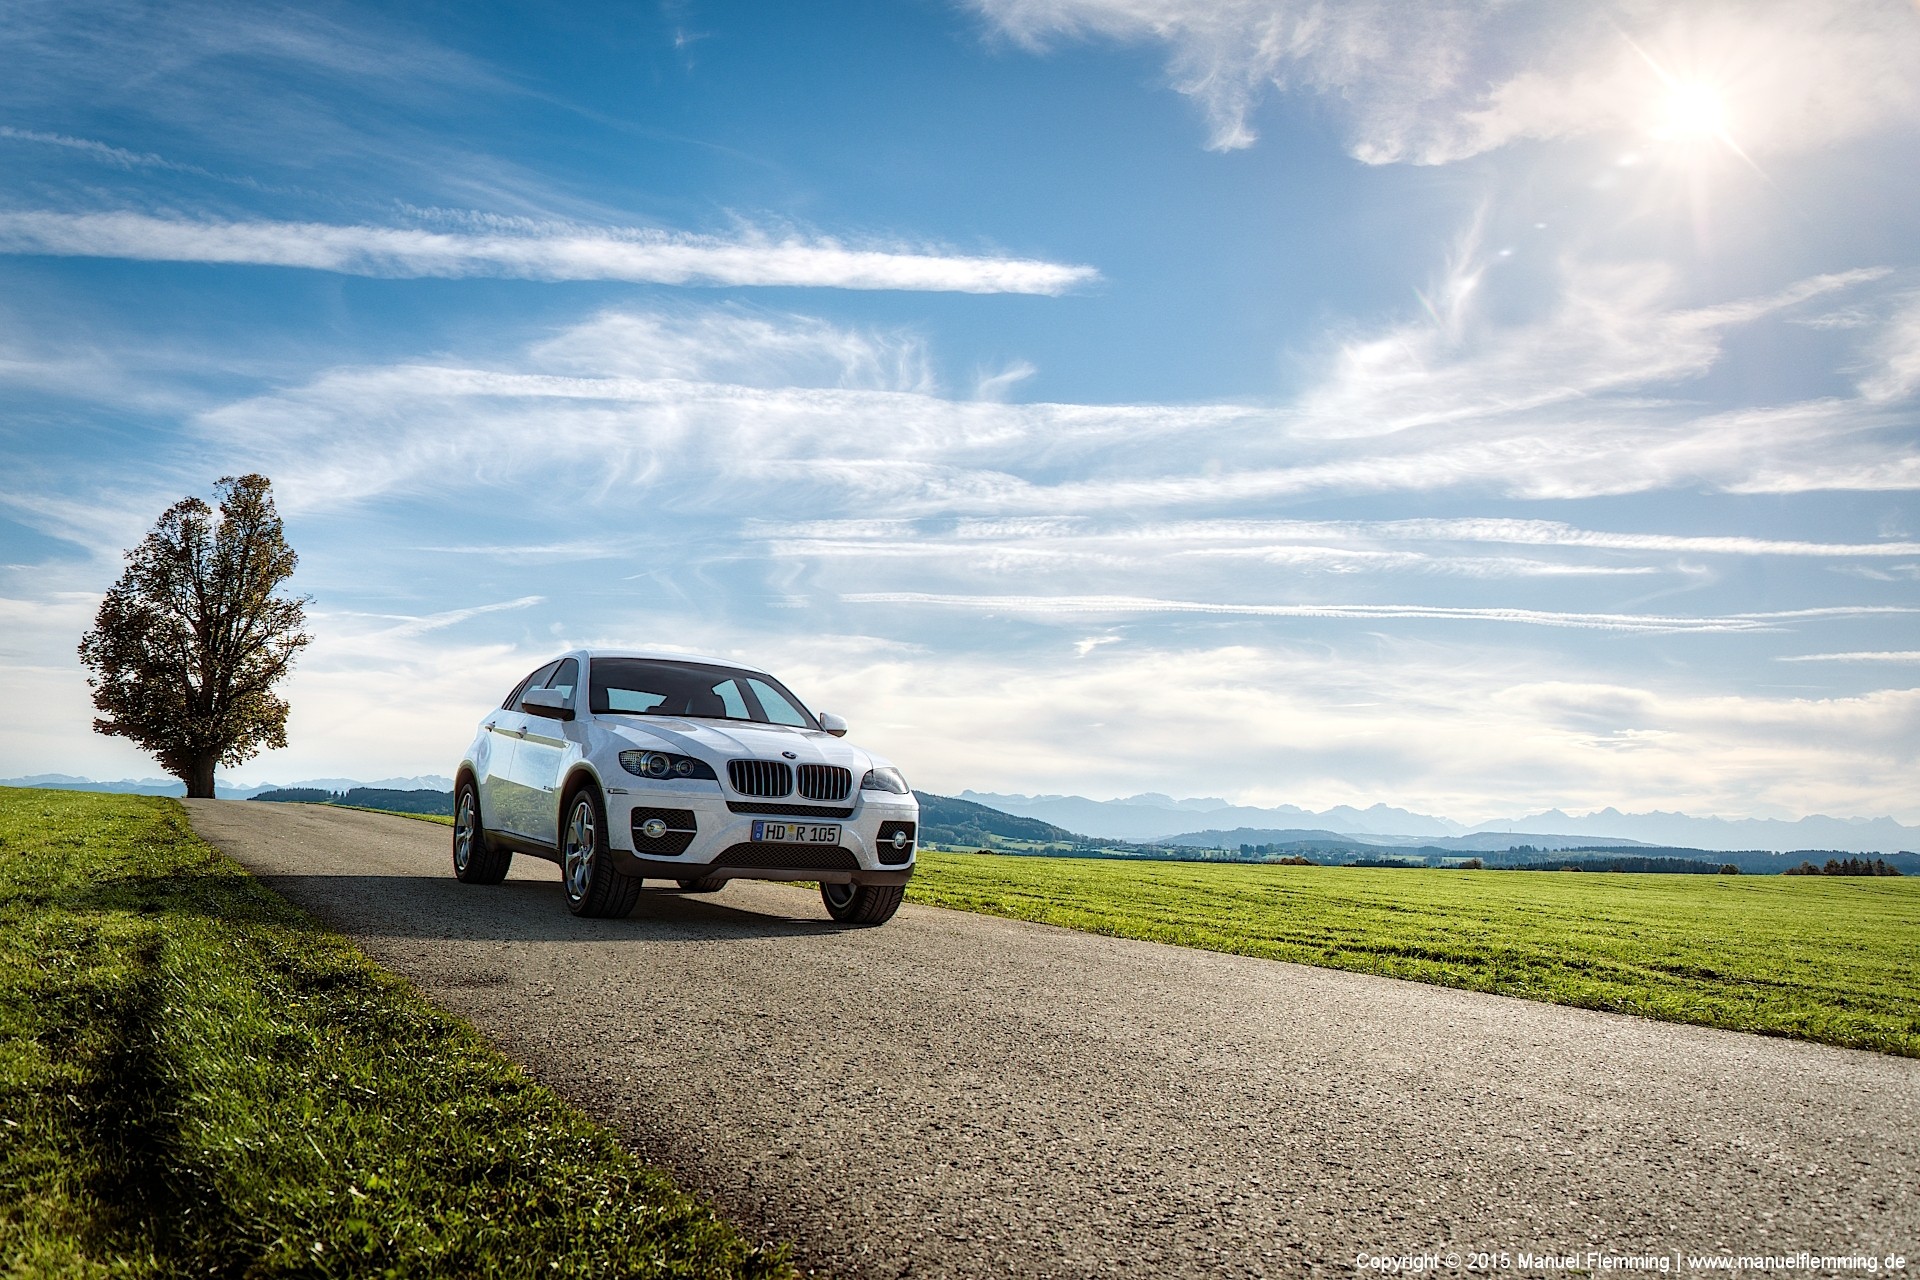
[{"x": 1817, "y": 959}]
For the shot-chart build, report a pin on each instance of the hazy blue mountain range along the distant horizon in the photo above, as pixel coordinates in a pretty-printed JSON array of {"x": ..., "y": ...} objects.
[{"x": 1199, "y": 822}]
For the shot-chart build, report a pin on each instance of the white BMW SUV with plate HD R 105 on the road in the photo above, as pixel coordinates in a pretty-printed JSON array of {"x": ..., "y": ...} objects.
[{"x": 629, "y": 767}]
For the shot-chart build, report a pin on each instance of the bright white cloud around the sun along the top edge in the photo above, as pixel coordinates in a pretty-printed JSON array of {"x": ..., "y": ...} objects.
[{"x": 1443, "y": 82}]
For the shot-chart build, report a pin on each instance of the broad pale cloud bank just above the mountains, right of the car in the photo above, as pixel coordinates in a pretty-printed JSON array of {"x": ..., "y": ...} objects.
[{"x": 1441, "y": 728}]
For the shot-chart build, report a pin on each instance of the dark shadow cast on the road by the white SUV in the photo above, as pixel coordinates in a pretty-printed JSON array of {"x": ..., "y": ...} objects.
[{"x": 437, "y": 907}]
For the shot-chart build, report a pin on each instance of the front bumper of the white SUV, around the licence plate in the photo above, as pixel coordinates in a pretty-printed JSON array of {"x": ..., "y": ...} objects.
[{"x": 711, "y": 836}]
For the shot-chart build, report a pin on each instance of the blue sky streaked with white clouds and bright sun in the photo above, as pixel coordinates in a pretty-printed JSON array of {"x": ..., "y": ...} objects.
[{"x": 1468, "y": 408}]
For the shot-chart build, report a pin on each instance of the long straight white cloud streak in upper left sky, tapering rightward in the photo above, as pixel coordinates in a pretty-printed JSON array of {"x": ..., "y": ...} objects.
[{"x": 560, "y": 254}]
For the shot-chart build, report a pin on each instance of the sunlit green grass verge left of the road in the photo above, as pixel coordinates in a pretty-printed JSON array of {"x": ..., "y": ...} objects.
[{"x": 199, "y": 1079}]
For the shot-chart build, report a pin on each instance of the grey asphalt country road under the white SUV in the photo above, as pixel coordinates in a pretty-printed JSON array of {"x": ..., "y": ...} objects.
[{"x": 967, "y": 1097}]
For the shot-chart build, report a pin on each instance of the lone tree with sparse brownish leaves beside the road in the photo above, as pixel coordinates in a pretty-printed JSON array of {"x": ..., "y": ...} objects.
[{"x": 191, "y": 642}]
